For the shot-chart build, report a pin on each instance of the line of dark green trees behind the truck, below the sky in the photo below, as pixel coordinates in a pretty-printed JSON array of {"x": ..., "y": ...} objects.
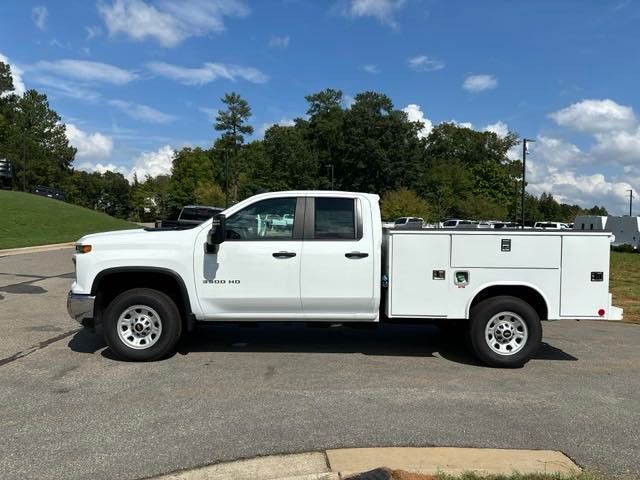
[{"x": 368, "y": 146}]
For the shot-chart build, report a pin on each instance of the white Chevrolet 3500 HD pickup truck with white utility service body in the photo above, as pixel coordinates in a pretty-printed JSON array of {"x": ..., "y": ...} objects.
[{"x": 334, "y": 263}]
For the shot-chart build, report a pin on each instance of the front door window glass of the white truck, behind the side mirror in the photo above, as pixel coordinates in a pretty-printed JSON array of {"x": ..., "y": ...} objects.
[{"x": 270, "y": 219}]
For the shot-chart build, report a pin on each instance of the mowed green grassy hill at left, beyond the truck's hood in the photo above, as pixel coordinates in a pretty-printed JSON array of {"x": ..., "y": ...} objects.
[{"x": 27, "y": 220}]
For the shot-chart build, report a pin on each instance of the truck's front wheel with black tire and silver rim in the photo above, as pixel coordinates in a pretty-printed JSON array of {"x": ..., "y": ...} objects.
[{"x": 142, "y": 325}]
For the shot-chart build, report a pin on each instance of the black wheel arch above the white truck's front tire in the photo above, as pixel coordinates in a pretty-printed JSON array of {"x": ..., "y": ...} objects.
[{"x": 110, "y": 282}]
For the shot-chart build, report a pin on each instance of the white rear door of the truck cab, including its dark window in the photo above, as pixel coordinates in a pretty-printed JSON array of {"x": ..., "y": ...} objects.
[{"x": 337, "y": 270}]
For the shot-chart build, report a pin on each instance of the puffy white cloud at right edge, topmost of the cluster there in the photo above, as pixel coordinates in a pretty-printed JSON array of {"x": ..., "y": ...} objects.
[{"x": 595, "y": 116}]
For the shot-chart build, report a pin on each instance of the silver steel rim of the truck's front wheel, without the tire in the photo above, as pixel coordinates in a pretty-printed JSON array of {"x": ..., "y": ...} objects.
[{"x": 139, "y": 327}]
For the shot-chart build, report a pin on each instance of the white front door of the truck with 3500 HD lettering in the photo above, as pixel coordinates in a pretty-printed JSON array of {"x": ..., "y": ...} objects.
[{"x": 256, "y": 272}]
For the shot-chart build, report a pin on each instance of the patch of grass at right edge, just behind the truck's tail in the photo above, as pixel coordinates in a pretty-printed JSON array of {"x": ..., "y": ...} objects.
[{"x": 625, "y": 284}]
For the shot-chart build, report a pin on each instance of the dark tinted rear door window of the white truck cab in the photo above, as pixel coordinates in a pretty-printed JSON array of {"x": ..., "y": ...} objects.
[{"x": 334, "y": 219}]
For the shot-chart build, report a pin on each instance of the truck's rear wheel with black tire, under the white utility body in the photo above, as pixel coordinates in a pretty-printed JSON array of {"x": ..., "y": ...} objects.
[{"x": 505, "y": 331}]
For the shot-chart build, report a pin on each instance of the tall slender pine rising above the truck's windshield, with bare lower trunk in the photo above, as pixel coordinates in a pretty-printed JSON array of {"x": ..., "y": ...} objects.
[{"x": 233, "y": 123}]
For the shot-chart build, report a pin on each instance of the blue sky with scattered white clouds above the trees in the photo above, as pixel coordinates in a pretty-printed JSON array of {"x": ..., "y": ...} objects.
[{"x": 136, "y": 79}]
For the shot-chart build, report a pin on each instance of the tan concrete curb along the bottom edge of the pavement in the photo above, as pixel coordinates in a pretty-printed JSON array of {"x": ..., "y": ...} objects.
[{"x": 341, "y": 463}]
